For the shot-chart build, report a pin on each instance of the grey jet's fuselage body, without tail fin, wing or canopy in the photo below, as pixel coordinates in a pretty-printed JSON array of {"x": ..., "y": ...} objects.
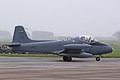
[{"x": 52, "y": 46}]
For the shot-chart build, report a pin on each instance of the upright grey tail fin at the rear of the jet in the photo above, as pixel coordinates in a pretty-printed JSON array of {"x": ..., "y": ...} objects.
[{"x": 20, "y": 35}]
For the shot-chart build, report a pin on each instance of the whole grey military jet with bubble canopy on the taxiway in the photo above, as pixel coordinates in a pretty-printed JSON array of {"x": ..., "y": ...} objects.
[{"x": 78, "y": 47}]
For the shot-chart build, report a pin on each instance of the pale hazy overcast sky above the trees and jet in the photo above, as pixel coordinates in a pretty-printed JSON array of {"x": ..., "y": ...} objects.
[{"x": 63, "y": 17}]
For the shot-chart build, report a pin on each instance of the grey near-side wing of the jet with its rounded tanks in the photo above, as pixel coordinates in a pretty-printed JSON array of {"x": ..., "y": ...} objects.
[{"x": 75, "y": 50}]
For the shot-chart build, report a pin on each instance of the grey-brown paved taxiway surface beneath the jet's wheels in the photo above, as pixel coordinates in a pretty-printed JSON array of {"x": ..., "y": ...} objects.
[{"x": 44, "y": 68}]
